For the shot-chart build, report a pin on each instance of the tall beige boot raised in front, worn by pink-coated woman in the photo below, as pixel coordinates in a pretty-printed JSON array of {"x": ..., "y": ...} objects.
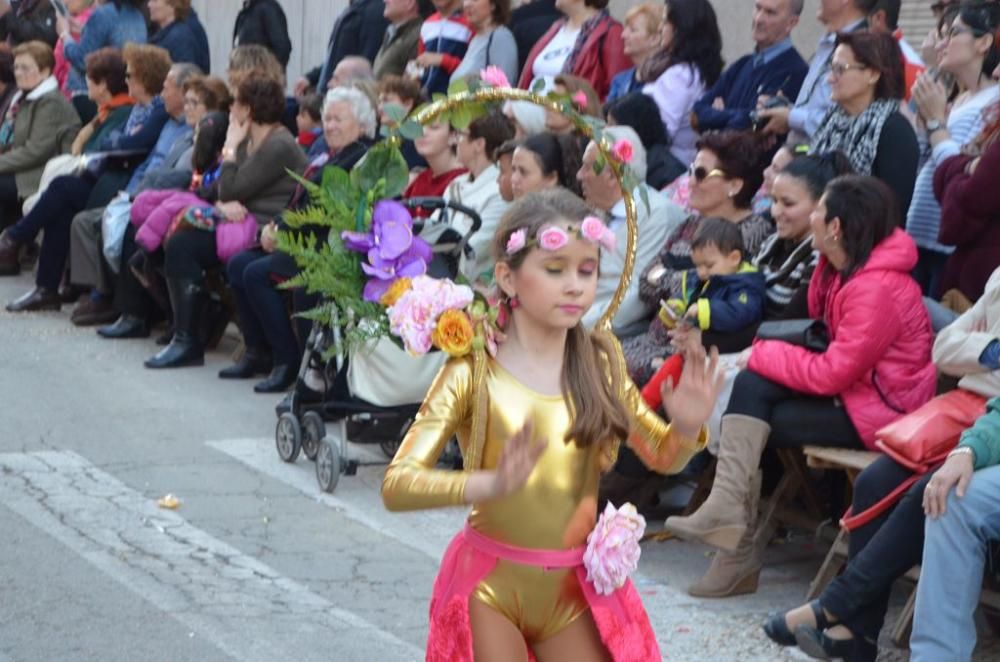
[{"x": 722, "y": 520}]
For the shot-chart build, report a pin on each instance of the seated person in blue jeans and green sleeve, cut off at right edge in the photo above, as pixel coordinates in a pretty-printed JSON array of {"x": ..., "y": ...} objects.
[{"x": 959, "y": 529}]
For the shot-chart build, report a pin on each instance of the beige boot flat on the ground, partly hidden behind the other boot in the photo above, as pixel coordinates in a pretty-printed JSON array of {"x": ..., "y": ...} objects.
[{"x": 737, "y": 572}]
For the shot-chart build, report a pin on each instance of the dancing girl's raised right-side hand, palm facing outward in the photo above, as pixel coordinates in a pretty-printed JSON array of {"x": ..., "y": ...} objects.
[{"x": 690, "y": 403}]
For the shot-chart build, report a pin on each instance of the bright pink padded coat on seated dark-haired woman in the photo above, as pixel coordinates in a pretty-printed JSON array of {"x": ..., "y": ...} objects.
[{"x": 879, "y": 359}]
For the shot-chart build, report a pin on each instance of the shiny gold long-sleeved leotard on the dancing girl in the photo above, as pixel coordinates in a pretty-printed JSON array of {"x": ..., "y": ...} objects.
[{"x": 556, "y": 508}]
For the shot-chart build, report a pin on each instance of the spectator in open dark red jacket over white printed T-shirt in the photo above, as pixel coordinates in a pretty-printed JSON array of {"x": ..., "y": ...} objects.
[{"x": 587, "y": 43}]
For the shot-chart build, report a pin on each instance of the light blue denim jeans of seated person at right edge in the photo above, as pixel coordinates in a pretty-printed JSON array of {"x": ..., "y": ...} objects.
[{"x": 951, "y": 576}]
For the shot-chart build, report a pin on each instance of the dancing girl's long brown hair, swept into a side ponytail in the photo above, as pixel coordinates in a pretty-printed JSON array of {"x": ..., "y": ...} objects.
[{"x": 589, "y": 381}]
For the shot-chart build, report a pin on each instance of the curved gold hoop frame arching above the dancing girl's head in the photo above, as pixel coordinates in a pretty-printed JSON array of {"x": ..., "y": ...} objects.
[{"x": 431, "y": 112}]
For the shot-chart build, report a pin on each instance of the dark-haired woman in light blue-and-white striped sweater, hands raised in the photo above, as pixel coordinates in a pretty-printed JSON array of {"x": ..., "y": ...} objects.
[{"x": 949, "y": 125}]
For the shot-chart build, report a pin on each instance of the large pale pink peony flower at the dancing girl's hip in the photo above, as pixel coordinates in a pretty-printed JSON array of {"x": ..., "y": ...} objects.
[{"x": 613, "y": 548}]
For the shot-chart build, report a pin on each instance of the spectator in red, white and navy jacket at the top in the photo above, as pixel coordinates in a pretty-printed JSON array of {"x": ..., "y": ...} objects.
[{"x": 444, "y": 40}]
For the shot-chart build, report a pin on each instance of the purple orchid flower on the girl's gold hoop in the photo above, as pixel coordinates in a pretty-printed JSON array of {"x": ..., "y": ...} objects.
[{"x": 392, "y": 250}]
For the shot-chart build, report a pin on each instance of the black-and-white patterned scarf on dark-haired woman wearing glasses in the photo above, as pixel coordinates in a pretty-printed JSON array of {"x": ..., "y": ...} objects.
[{"x": 857, "y": 137}]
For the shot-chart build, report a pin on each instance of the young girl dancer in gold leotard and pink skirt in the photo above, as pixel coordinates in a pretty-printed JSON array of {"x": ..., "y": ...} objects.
[{"x": 537, "y": 425}]
